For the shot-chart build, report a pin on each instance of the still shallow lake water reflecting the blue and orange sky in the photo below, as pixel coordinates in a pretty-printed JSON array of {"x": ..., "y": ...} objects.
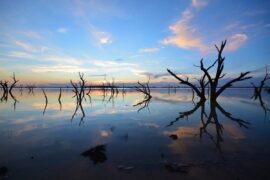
[{"x": 116, "y": 141}]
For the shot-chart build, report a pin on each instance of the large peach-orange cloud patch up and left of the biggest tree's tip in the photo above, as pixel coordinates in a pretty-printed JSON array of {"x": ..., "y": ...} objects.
[{"x": 185, "y": 36}]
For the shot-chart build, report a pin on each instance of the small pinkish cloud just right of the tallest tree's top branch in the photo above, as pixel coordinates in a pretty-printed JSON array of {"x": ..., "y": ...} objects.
[{"x": 236, "y": 41}]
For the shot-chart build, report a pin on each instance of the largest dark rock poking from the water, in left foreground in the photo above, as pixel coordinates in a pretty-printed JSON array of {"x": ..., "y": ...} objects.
[{"x": 96, "y": 154}]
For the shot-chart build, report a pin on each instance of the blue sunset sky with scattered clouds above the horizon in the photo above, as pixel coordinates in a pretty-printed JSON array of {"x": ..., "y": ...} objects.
[{"x": 129, "y": 40}]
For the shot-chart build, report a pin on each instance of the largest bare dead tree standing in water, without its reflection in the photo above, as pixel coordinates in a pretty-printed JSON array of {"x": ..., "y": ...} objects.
[{"x": 213, "y": 80}]
